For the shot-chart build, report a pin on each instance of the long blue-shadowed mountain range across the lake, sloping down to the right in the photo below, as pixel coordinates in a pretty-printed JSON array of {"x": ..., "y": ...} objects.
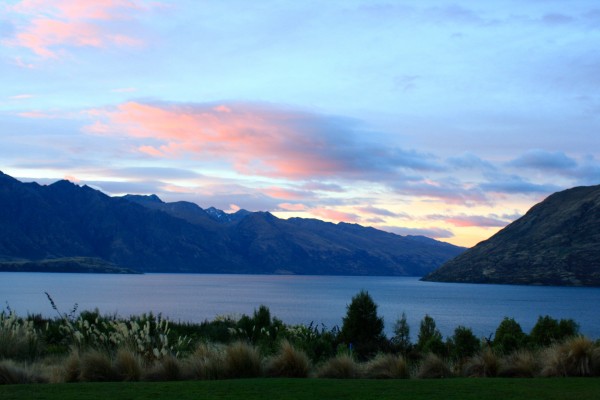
[{"x": 65, "y": 225}]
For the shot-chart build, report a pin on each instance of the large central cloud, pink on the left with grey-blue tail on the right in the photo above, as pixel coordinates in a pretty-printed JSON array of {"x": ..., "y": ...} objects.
[{"x": 260, "y": 140}]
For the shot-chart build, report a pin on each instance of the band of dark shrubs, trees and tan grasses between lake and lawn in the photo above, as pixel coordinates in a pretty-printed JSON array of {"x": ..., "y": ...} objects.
[{"x": 89, "y": 347}]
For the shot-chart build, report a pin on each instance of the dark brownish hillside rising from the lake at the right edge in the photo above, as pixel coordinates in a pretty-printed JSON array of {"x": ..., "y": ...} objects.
[{"x": 557, "y": 242}]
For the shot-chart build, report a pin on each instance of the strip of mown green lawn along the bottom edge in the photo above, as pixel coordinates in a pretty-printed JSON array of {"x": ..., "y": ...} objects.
[{"x": 309, "y": 389}]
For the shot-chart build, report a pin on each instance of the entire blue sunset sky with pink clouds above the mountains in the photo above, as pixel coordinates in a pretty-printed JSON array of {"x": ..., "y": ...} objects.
[{"x": 448, "y": 119}]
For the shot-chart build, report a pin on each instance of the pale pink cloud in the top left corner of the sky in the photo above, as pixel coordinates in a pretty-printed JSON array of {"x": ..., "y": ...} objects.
[{"x": 51, "y": 26}]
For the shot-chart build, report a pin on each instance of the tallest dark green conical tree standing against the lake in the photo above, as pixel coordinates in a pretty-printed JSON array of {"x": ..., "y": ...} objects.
[{"x": 362, "y": 327}]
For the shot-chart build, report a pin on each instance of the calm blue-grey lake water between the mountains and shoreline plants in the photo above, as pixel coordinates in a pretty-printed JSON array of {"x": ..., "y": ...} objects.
[{"x": 301, "y": 299}]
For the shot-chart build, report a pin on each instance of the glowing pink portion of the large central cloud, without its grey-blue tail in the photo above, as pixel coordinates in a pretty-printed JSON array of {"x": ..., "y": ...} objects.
[{"x": 256, "y": 140}]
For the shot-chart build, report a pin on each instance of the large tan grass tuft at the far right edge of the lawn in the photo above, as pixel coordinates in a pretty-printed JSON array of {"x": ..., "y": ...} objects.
[{"x": 577, "y": 356}]
